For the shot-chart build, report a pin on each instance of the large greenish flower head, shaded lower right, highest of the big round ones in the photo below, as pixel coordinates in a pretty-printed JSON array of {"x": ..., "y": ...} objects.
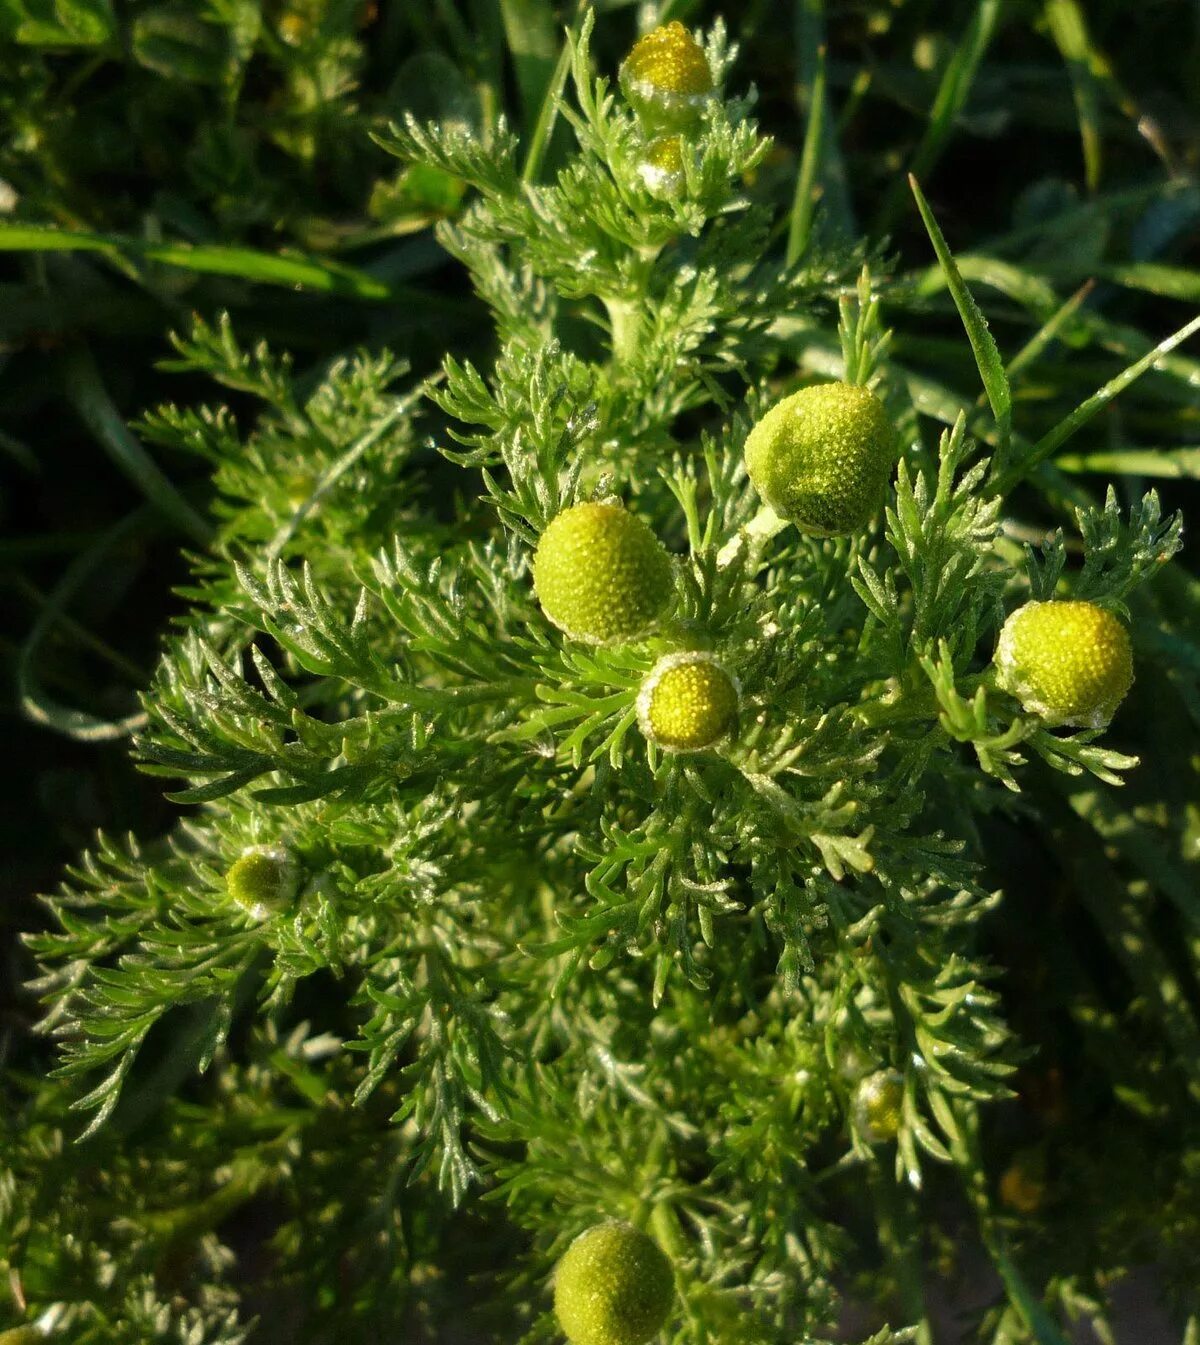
[{"x": 823, "y": 457}]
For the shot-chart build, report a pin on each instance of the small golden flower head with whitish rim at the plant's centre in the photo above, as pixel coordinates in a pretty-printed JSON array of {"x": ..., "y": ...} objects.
[{"x": 688, "y": 703}]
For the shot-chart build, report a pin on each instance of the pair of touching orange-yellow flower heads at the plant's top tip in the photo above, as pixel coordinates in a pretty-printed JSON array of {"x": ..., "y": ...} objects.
[{"x": 668, "y": 81}]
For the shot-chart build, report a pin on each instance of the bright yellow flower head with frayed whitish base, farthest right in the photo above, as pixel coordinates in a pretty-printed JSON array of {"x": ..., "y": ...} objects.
[{"x": 1070, "y": 664}]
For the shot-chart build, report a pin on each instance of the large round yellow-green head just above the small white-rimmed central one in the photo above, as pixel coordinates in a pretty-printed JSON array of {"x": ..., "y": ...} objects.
[{"x": 602, "y": 575}]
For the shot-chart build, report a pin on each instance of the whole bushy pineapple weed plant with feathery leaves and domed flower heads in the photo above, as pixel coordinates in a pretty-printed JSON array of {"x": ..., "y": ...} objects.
[{"x": 586, "y": 870}]
